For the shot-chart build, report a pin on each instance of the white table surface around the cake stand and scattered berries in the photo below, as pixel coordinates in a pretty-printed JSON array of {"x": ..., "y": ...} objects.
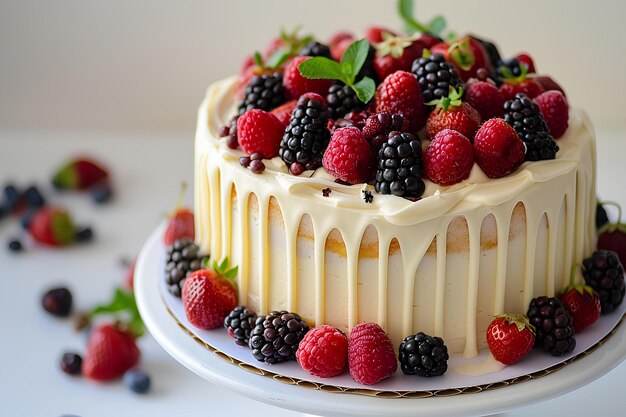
[{"x": 147, "y": 170}]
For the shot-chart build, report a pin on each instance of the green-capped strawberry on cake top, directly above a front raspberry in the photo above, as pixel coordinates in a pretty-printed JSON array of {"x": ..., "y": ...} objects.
[{"x": 451, "y": 113}]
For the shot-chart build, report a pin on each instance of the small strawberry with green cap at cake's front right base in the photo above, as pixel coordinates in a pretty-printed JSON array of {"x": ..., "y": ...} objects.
[{"x": 510, "y": 337}]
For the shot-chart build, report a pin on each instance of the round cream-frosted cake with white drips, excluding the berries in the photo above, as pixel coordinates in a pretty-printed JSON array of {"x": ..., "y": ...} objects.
[{"x": 444, "y": 265}]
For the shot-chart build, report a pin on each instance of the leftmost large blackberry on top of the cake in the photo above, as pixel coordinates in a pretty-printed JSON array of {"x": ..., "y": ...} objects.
[{"x": 264, "y": 92}]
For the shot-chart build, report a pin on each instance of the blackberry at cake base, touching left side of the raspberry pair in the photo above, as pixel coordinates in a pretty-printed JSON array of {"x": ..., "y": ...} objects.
[{"x": 276, "y": 337}]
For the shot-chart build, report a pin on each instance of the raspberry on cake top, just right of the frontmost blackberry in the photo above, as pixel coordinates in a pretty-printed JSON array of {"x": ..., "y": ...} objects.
[{"x": 449, "y": 158}]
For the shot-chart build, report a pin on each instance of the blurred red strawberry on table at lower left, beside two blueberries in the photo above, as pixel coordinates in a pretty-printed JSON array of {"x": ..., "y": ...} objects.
[{"x": 110, "y": 353}]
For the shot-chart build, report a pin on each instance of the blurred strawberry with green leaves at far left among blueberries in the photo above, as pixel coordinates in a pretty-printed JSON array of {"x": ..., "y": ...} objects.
[{"x": 52, "y": 226}]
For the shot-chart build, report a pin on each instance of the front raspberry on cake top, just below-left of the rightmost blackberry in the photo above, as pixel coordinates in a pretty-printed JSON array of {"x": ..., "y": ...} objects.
[{"x": 498, "y": 149}]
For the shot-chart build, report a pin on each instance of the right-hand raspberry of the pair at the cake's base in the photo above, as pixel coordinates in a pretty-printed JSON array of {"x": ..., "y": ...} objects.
[{"x": 371, "y": 357}]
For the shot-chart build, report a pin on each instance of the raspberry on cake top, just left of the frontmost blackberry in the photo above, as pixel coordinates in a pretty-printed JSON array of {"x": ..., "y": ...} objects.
[{"x": 349, "y": 156}]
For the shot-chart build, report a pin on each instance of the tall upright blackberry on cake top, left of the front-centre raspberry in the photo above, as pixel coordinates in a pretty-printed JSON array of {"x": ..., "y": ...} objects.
[{"x": 307, "y": 135}]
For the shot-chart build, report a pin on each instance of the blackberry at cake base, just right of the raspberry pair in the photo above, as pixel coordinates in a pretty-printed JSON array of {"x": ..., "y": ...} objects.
[{"x": 423, "y": 355}]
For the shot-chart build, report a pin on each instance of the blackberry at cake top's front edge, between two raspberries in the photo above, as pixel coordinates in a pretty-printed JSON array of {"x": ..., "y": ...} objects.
[{"x": 400, "y": 166}]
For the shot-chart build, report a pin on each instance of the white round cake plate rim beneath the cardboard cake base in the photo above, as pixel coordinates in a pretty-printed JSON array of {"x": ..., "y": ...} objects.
[{"x": 178, "y": 343}]
